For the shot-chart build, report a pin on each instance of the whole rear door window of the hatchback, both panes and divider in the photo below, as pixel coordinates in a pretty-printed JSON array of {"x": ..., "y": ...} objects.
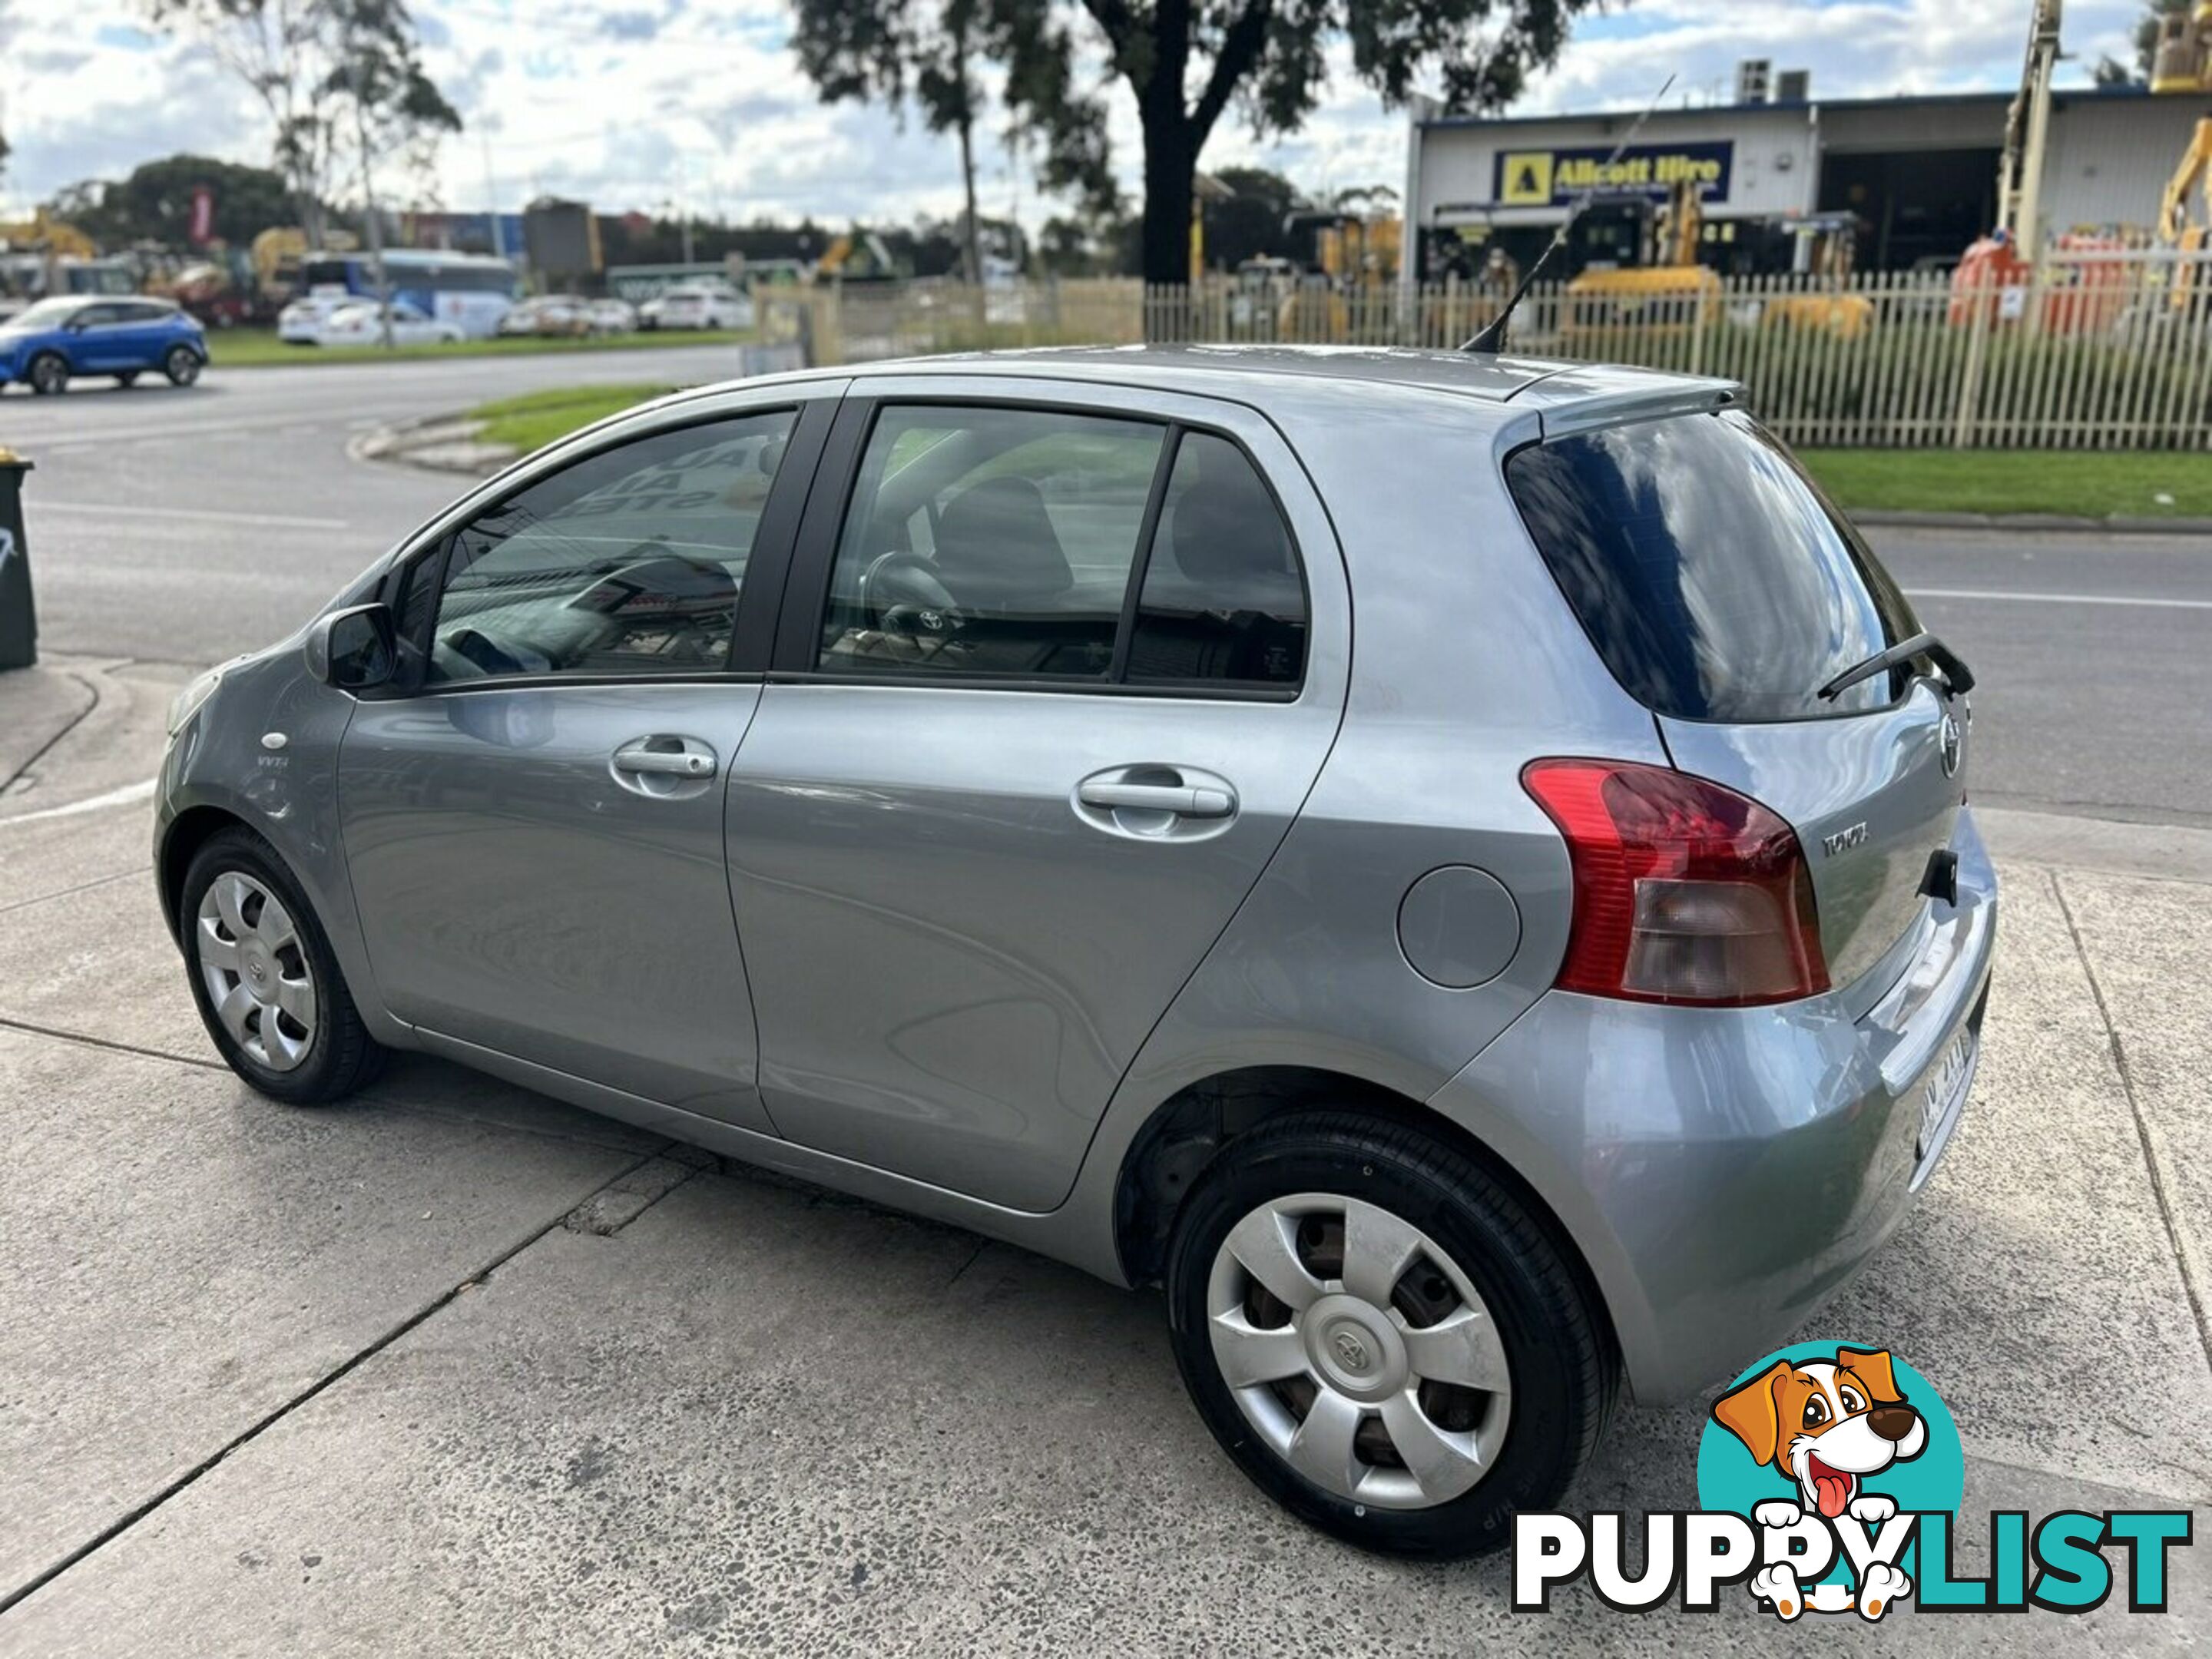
[{"x": 1003, "y": 543}]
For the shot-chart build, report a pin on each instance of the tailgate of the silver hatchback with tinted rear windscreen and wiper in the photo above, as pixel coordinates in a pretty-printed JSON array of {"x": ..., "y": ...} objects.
[{"x": 1726, "y": 594}]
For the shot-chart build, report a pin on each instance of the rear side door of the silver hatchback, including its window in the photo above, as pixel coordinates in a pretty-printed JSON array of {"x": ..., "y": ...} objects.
[{"x": 1050, "y": 691}]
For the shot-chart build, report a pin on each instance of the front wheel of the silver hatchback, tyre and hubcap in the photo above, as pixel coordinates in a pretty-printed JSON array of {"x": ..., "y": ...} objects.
[{"x": 264, "y": 977}]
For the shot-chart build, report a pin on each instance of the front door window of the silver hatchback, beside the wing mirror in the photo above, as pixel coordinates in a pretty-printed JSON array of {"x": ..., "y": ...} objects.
[{"x": 627, "y": 563}]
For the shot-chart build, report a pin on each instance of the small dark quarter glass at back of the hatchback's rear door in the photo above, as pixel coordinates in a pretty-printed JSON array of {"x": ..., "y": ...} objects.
[{"x": 1222, "y": 594}]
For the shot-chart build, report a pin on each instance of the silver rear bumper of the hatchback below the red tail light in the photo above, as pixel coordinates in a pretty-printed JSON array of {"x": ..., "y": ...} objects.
[{"x": 1726, "y": 1171}]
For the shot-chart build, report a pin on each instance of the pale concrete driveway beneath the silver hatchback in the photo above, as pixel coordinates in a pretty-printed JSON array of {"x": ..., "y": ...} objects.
[{"x": 461, "y": 1370}]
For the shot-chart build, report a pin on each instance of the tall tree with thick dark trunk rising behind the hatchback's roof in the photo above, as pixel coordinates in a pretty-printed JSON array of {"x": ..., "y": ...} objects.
[{"x": 1189, "y": 61}]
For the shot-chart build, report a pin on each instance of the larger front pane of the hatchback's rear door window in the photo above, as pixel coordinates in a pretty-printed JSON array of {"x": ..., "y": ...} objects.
[{"x": 990, "y": 543}]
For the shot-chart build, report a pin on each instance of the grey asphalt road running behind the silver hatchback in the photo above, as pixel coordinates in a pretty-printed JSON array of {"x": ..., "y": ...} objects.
[{"x": 194, "y": 525}]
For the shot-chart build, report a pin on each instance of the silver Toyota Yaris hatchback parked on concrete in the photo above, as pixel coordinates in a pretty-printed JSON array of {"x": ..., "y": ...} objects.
[{"x": 1457, "y": 868}]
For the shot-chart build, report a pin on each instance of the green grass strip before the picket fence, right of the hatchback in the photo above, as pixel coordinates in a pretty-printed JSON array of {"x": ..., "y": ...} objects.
[{"x": 2080, "y": 483}]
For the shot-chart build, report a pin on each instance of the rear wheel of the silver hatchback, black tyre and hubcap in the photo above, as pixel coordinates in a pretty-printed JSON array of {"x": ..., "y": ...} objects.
[{"x": 1384, "y": 1337}]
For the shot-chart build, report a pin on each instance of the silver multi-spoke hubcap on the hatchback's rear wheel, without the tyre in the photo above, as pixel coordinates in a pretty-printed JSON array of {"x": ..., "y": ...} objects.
[{"x": 1359, "y": 1350}]
